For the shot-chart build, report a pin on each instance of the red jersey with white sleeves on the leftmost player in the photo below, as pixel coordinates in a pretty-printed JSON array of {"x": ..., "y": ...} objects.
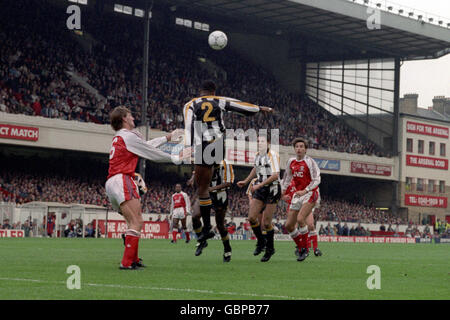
[{"x": 128, "y": 146}]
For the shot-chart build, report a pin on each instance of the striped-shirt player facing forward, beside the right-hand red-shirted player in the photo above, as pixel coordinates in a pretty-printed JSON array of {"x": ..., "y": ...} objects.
[{"x": 265, "y": 192}]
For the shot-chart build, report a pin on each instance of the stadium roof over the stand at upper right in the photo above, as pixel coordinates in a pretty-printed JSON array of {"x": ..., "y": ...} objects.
[{"x": 339, "y": 26}]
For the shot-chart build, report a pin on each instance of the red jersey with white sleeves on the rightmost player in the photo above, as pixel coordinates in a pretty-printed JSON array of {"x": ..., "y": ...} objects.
[{"x": 301, "y": 174}]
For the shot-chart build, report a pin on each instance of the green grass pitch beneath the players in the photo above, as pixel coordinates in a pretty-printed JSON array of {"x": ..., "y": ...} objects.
[{"x": 35, "y": 268}]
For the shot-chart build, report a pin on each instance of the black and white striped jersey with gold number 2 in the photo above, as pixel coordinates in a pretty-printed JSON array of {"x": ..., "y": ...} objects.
[{"x": 203, "y": 117}]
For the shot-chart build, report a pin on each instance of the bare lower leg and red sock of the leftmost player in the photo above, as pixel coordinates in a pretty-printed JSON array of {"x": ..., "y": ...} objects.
[{"x": 131, "y": 210}]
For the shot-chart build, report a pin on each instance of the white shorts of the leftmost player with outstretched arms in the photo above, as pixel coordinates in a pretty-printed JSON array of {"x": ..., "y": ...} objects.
[{"x": 121, "y": 188}]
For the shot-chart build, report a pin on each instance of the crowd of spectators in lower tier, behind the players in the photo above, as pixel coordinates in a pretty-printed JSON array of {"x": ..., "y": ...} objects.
[{"x": 19, "y": 187}]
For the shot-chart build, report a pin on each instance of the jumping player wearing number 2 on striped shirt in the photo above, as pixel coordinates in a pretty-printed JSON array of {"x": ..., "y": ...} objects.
[{"x": 204, "y": 130}]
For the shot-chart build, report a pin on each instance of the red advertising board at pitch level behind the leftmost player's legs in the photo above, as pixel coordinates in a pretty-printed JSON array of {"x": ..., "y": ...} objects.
[{"x": 150, "y": 230}]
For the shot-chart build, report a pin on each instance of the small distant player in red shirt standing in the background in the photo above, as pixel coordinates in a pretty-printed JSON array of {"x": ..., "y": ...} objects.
[{"x": 180, "y": 207}]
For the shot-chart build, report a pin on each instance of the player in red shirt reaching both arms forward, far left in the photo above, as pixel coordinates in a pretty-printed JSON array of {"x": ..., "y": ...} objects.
[{"x": 127, "y": 146}]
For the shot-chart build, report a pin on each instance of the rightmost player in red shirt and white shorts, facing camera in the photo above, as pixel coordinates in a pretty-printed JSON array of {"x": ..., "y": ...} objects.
[{"x": 301, "y": 188}]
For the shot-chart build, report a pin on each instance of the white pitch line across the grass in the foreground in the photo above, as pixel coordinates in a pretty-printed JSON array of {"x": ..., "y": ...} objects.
[{"x": 165, "y": 289}]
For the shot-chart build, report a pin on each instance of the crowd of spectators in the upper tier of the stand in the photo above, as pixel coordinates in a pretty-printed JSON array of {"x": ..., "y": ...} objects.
[{"x": 36, "y": 56}]
